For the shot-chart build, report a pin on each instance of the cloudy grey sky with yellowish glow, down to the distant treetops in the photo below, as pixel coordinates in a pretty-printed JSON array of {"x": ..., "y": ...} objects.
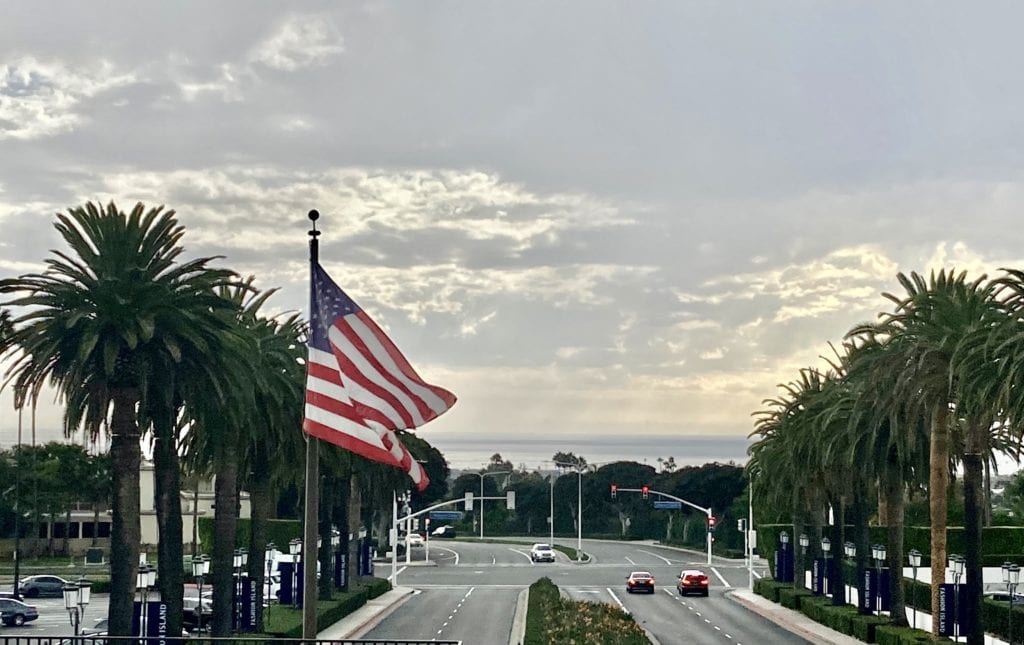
[{"x": 590, "y": 221}]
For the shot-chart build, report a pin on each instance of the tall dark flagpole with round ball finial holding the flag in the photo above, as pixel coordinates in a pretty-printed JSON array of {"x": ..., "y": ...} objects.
[{"x": 310, "y": 556}]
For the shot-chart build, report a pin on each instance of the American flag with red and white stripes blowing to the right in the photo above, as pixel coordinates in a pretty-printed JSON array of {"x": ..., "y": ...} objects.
[{"x": 360, "y": 389}]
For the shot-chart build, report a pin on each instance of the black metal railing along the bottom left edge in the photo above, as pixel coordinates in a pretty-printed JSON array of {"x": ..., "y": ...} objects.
[{"x": 135, "y": 640}]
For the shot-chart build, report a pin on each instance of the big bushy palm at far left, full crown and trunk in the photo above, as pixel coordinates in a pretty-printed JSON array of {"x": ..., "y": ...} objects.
[{"x": 100, "y": 321}]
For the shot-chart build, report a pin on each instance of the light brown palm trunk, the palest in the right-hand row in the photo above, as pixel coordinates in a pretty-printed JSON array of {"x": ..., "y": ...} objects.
[{"x": 938, "y": 490}]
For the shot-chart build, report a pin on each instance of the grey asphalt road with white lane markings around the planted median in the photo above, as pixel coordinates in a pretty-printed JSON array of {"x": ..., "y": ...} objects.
[{"x": 471, "y": 594}]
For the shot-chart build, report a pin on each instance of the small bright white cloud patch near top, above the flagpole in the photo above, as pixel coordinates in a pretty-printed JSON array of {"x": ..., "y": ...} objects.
[{"x": 303, "y": 41}]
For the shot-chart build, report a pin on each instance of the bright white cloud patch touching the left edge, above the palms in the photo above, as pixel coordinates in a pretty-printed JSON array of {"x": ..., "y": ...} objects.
[{"x": 44, "y": 99}]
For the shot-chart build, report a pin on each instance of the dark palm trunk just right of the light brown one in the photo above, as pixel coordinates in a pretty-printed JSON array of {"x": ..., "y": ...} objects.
[{"x": 974, "y": 503}]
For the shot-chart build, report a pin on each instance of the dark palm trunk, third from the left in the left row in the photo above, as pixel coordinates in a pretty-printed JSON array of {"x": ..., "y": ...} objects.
[{"x": 225, "y": 527}]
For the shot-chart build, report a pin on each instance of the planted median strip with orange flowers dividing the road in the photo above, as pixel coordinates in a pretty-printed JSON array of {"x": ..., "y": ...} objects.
[{"x": 551, "y": 619}]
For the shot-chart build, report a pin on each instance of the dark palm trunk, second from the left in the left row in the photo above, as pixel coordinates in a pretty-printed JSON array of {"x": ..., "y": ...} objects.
[{"x": 167, "y": 501}]
